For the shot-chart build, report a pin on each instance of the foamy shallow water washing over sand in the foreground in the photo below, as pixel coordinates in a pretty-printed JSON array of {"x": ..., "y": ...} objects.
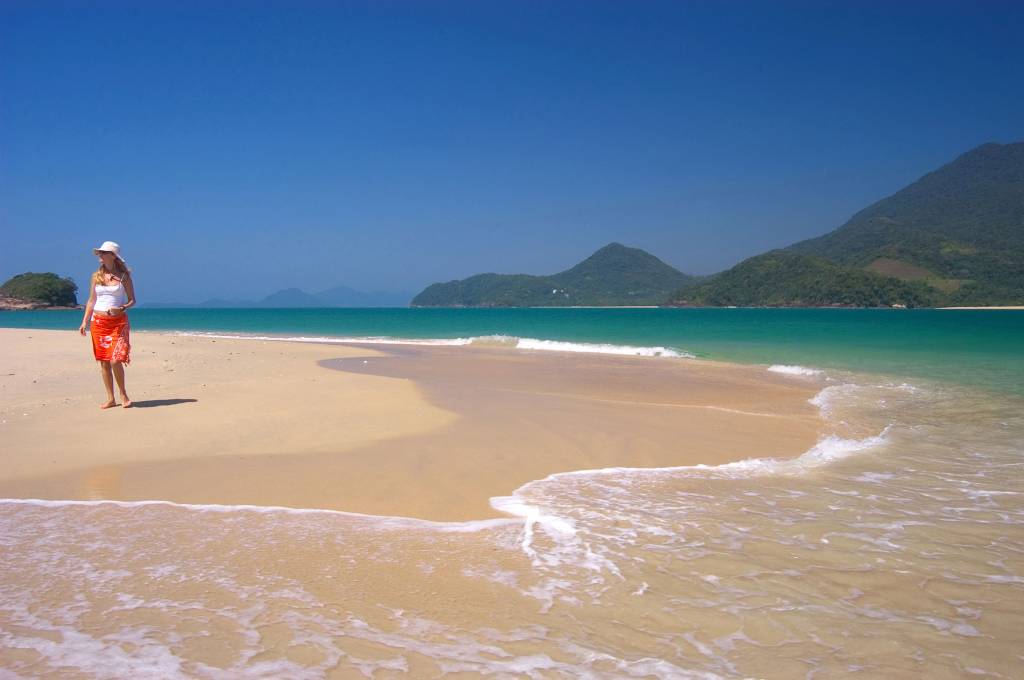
[{"x": 894, "y": 548}]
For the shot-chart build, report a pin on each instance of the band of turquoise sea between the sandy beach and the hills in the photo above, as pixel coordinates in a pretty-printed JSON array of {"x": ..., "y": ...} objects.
[{"x": 985, "y": 349}]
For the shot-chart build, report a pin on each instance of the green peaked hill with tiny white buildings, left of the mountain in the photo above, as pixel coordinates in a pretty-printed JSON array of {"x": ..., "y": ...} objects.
[{"x": 615, "y": 275}]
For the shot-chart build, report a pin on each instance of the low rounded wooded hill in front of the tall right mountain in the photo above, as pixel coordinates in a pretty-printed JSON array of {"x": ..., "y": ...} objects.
[{"x": 780, "y": 279}]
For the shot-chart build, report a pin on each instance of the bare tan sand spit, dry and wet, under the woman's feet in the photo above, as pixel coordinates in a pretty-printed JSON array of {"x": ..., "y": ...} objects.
[{"x": 424, "y": 433}]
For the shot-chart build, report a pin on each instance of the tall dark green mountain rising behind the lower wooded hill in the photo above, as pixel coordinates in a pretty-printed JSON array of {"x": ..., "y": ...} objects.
[{"x": 964, "y": 223}]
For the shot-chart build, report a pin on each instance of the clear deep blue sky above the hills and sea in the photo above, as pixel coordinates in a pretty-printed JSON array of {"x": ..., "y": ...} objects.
[{"x": 235, "y": 149}]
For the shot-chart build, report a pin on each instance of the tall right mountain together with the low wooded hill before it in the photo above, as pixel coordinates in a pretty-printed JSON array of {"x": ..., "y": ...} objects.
[{"x": 956, "y": 237}]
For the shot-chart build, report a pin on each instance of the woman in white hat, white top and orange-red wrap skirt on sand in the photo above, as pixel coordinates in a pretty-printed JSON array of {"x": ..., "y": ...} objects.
[{"x": 112, "y": 294}]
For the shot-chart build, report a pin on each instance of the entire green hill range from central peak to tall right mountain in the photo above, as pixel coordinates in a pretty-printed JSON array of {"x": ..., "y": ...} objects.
[{"x": 963, "y": 225}]
